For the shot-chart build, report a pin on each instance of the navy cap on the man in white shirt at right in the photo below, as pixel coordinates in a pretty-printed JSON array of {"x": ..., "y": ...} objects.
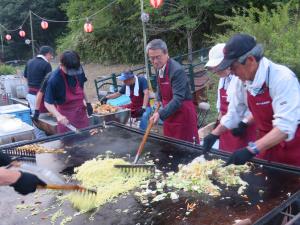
[{"x": 236, "y": 47}]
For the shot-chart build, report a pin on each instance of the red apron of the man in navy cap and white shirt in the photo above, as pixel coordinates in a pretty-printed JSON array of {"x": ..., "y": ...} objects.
[{"x": 284, "y": 152}]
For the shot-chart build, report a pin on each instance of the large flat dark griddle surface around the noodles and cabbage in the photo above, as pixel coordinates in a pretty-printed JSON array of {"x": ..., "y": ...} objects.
[{"x": 276, "y": 181}]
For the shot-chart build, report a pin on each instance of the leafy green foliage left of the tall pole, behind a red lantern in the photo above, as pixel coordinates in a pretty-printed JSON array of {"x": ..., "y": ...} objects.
[{"x": 117, "y": 35}]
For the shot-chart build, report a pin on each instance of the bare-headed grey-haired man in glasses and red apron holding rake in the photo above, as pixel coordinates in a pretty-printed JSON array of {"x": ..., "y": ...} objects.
[{"x": 178, "y": 112}]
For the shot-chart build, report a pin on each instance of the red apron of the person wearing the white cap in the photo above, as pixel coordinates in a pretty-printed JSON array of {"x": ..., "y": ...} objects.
[{"x": 229, "y": 142}]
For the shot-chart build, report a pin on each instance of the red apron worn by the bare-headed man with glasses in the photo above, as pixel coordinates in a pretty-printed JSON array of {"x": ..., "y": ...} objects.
[{"x": 182, "y": 124}]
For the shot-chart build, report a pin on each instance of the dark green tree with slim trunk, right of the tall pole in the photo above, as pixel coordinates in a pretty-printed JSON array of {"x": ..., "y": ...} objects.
[{"x": 192, "y": 19}]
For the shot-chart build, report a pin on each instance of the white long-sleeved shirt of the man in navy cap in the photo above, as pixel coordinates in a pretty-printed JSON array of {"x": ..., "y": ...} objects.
[{"x": 284, "y": 90}]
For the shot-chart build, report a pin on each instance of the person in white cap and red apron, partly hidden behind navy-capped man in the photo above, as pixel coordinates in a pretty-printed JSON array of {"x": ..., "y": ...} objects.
[{"x": 236, "y": 138}]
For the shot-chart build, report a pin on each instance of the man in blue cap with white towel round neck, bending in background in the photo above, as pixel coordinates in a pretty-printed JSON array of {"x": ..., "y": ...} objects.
[{"x": 137, "y": 89}]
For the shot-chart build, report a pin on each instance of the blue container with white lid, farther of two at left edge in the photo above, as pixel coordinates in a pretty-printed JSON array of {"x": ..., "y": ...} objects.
[{"x": 19, "y": 111}]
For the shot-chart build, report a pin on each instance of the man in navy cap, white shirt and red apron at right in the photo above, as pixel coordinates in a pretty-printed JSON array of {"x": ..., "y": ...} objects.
[{"x": 273, "y": 97}]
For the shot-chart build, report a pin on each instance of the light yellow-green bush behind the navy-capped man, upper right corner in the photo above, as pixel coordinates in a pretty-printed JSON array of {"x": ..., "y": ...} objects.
[{"x": 277, "y": 29}]
